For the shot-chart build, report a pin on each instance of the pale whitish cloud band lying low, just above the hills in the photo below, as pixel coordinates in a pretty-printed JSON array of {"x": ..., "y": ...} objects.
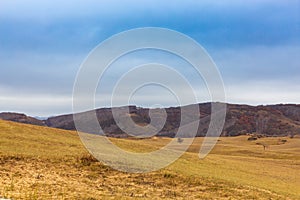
[{"x": 251, "y": 92}]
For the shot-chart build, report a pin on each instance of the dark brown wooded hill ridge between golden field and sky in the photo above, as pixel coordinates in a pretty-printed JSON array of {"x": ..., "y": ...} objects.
[{"x": 270, "y": 120}]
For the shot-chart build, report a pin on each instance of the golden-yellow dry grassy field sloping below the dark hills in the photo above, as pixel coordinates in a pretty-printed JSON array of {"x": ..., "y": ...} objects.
[{"x": 45, "y": 163}]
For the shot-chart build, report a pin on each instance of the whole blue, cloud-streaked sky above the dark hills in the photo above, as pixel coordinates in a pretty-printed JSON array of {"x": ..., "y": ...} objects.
[{"x": 255, "y": 45}]
